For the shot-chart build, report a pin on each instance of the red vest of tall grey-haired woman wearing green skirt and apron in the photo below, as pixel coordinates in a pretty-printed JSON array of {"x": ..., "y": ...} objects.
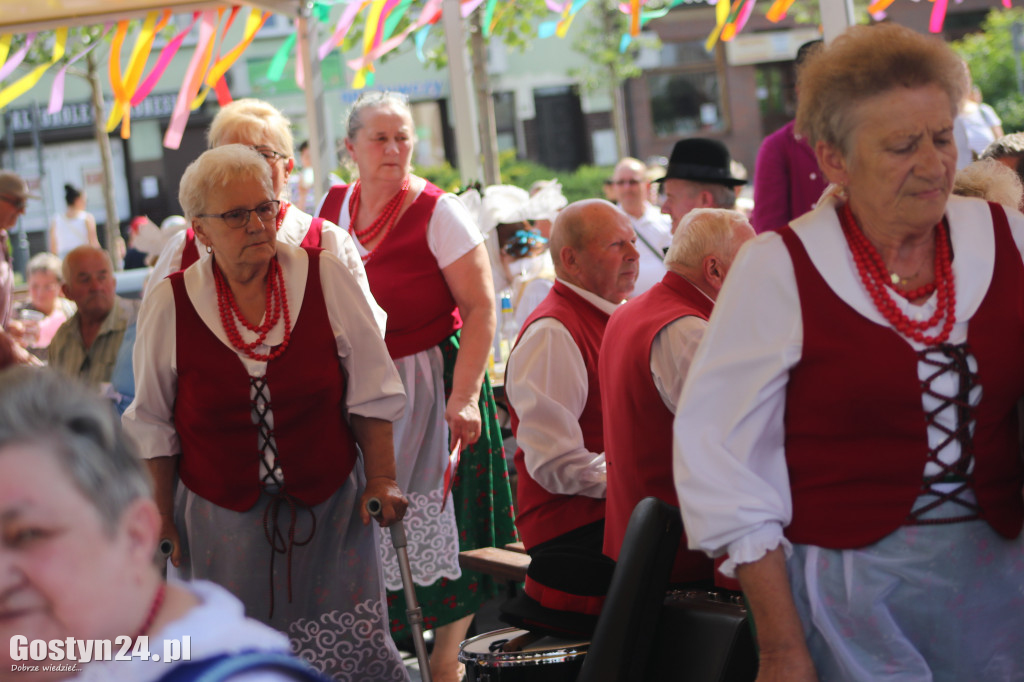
[{"x": 405, "y": 278}]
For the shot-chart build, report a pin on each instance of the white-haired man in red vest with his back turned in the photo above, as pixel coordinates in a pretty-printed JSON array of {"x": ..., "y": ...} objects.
[{"x": 645, "y": 359}]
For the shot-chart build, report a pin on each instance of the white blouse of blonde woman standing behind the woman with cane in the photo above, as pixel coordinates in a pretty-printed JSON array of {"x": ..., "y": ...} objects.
[{"x": 293, "y": 231}]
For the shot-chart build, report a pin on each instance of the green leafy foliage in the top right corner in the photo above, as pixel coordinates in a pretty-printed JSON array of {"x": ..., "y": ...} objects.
[{"x": 995, "y": 65}]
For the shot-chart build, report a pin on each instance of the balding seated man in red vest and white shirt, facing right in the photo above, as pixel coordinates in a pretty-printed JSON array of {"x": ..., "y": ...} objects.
[{"x": 554, "y": 394}]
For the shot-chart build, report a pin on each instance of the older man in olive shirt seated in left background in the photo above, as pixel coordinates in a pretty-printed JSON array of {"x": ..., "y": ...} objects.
[{"x": 87, "y": 346}]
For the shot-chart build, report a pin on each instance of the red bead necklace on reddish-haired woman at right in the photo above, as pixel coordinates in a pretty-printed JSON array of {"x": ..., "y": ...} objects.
[{"x": 877, "y": 279}]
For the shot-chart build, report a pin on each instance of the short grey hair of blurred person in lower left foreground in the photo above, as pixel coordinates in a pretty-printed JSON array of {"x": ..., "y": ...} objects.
[{"x": 82, "y": 432}]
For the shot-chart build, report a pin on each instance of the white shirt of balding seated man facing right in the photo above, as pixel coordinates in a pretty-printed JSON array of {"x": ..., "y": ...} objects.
[{"x": 546, "y": 385}]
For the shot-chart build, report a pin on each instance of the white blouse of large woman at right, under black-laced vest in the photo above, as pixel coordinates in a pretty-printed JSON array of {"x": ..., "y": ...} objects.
[{"x": 730, "y": 457}]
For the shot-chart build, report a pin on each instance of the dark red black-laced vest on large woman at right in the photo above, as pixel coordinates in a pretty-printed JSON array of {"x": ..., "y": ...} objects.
[{"x": 856, "y": 431}]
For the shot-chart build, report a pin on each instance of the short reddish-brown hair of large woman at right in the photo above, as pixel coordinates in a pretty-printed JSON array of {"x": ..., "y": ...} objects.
[{"x": 866, "y": 62}]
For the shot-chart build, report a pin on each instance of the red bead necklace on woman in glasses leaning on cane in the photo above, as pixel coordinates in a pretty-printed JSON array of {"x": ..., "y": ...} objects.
[{"x": 277, "y": 307}]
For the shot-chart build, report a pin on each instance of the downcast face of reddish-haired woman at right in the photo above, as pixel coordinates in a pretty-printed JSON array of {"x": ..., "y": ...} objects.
[{"x": 902, "y": 158}]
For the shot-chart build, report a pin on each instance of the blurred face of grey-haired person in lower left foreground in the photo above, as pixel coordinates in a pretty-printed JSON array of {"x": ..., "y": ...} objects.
[{"x": 62, "y": 574}]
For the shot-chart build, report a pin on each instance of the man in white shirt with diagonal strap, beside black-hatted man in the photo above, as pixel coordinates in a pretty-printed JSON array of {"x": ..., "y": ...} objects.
[{"x": 653, "y": 229}]
